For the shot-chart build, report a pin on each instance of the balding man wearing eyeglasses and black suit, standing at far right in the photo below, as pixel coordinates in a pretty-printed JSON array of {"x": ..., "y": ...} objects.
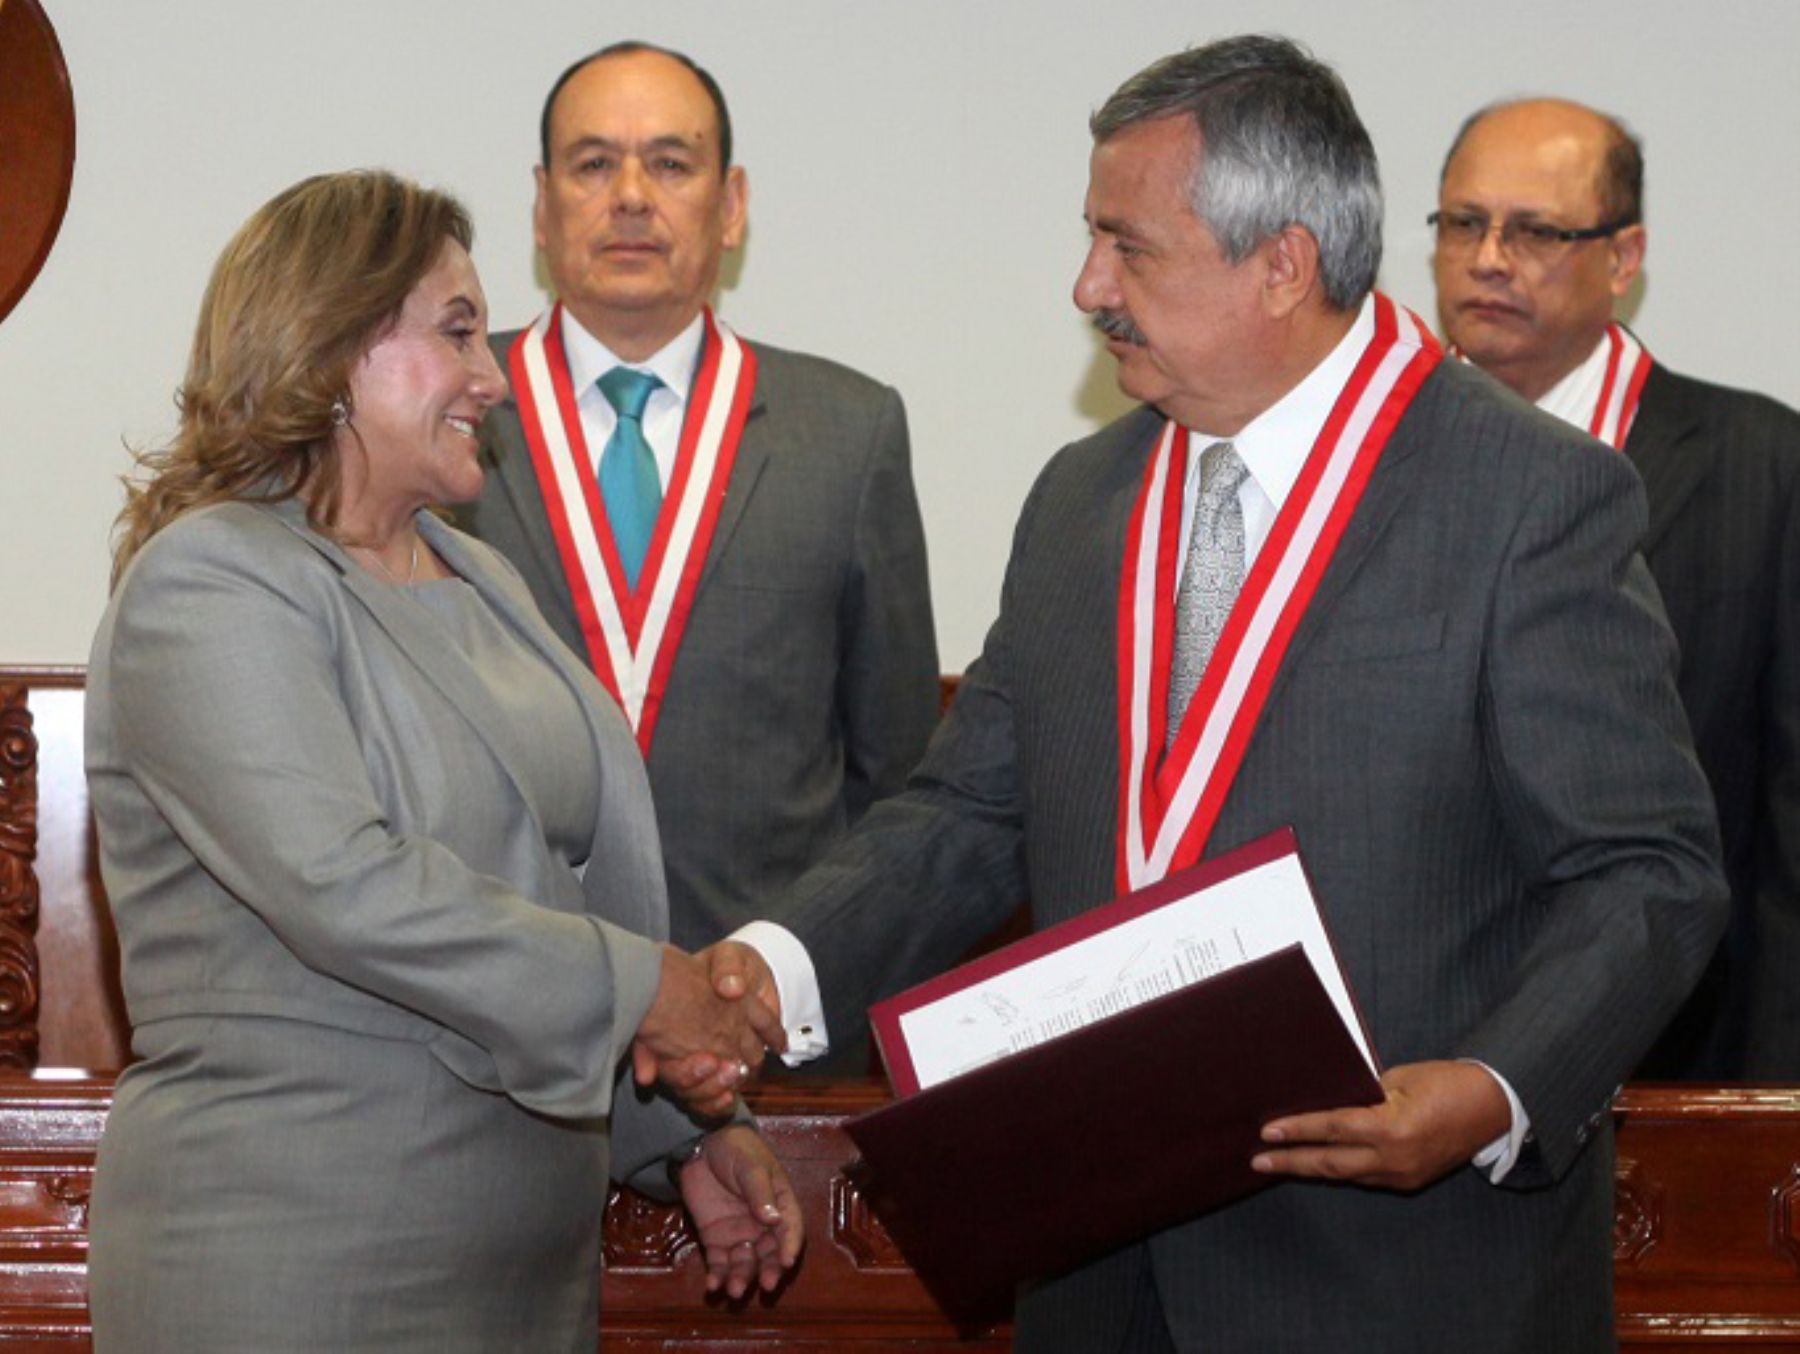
[{"x": 1540, "y": 231}]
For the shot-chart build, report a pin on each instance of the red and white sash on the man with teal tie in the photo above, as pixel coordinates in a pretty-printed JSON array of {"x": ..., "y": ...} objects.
[{"x": 633, "y": 636}]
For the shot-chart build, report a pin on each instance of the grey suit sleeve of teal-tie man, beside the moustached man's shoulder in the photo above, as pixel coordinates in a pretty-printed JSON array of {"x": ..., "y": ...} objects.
[{"x": 888, "y": 674}]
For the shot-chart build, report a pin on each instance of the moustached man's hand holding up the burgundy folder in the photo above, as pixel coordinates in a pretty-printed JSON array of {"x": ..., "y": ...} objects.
[{"x": 1437, "y": 1115}]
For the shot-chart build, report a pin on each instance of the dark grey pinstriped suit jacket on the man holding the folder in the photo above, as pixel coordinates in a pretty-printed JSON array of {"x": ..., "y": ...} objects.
[{"x": 1479, "y": 743}]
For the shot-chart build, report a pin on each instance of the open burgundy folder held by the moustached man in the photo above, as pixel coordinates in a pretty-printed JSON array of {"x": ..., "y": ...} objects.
[{"x": 1106, "y": 1135}]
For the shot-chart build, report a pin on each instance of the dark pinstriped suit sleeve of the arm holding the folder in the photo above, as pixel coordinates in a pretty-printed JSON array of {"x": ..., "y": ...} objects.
[{"x": 1603, "y": 800}]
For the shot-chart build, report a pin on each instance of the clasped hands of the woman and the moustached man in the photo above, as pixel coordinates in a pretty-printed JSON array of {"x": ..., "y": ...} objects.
[{"x": 699, "y": 1045}]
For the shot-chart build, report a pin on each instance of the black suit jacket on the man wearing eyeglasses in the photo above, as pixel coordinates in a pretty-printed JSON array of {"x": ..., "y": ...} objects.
[{"x": 1722, "y": 471}]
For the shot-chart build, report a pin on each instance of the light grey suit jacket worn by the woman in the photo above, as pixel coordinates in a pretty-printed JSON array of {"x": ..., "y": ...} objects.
[{"x": 278, "y": 755}]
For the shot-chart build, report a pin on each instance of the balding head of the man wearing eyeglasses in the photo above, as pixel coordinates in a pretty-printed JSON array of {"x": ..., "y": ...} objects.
[{"x": 1531, "y": 312}]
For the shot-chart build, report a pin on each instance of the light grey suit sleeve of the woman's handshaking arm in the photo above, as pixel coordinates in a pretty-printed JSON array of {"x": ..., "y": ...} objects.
[{"x": 231, "y": 719}]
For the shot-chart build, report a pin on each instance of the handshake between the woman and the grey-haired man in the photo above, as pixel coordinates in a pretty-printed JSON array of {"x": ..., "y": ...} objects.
[{"x": 714, "y": 1018}]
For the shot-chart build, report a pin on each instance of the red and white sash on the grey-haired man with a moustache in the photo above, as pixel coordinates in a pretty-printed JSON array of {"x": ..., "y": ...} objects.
[{"x": 1169, "y": 806}]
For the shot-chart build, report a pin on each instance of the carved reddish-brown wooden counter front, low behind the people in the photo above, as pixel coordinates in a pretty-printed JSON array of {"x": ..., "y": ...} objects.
[{"x": 1709, "y": 1173}]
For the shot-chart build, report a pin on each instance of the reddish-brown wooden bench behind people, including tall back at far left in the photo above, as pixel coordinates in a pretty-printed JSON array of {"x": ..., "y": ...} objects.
[{"x": 1707, "y": 1232}]
